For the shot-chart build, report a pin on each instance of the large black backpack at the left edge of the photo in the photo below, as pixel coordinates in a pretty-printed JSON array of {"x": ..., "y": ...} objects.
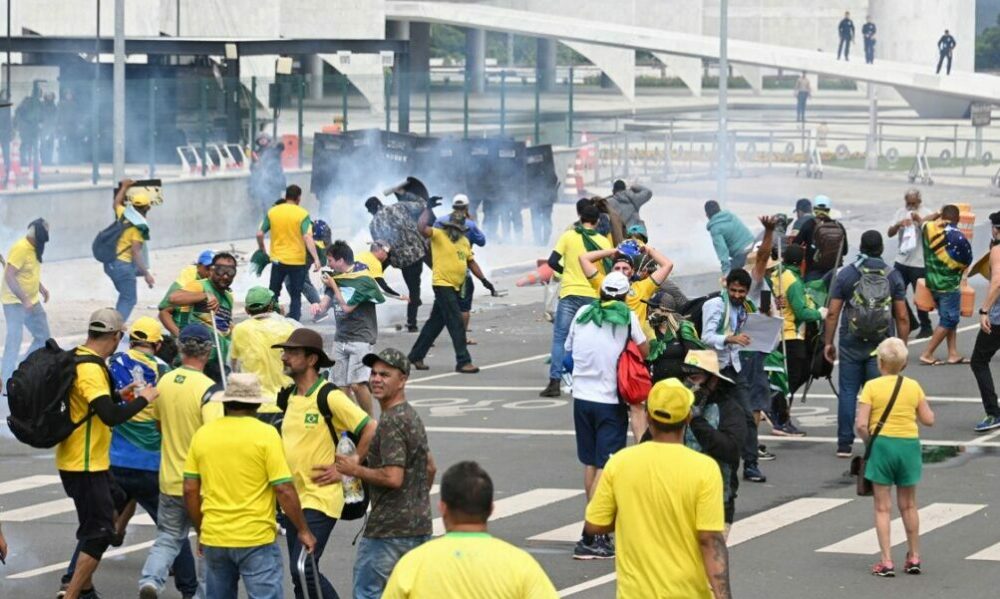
[{"x": 38, "y": 395}]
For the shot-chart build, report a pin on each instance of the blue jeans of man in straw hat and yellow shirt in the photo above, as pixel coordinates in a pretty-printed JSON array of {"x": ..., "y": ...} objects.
[{"x": 259, "y": 567}]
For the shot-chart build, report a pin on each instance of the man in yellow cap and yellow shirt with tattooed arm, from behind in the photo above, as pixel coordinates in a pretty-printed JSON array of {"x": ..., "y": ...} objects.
[{"x": 664, "y": 503}]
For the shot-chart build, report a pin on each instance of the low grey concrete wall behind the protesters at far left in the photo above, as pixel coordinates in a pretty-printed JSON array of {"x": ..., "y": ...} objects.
[{"x": 196, "y": 210}]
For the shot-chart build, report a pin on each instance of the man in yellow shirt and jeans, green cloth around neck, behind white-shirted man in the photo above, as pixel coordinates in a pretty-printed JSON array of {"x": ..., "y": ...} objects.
[{"x": 575, "y": 291}]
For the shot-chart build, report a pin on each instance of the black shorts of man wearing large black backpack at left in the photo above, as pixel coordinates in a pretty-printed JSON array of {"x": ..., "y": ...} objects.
[{"x": 95, "y": 496}]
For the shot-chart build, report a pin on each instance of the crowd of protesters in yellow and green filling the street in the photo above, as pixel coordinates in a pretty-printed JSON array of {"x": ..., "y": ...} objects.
[{"x": 244, "y": 429}]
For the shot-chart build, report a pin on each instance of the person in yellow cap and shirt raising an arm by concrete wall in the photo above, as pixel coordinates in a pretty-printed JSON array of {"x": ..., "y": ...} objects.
[{"x": 132, "y": 259}]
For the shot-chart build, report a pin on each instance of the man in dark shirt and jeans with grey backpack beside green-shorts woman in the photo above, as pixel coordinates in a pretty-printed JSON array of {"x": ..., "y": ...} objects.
[{"x": 872, "y": 298}]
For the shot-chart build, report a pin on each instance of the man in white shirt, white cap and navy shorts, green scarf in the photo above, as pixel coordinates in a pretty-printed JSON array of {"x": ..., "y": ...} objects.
[{"x": 596, "y": 339}]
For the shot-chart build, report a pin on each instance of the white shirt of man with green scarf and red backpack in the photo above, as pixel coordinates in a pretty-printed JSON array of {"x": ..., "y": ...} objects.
[{"x": 595, "y": 357}]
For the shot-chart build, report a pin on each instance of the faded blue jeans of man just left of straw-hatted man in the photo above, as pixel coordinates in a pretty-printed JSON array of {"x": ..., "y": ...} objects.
[{"x": 172, "y": 528}]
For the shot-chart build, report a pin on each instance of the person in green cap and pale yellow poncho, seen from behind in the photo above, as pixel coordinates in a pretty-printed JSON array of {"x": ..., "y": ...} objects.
[{"x": 250, "y": 350}]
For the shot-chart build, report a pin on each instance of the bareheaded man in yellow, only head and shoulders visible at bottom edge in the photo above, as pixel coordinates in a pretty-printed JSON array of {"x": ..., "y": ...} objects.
[{"x": 467, "y": 561}]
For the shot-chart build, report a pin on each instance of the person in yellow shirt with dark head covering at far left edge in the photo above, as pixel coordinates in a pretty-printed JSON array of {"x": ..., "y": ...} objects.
[{"x": 22, "y": 294}]
